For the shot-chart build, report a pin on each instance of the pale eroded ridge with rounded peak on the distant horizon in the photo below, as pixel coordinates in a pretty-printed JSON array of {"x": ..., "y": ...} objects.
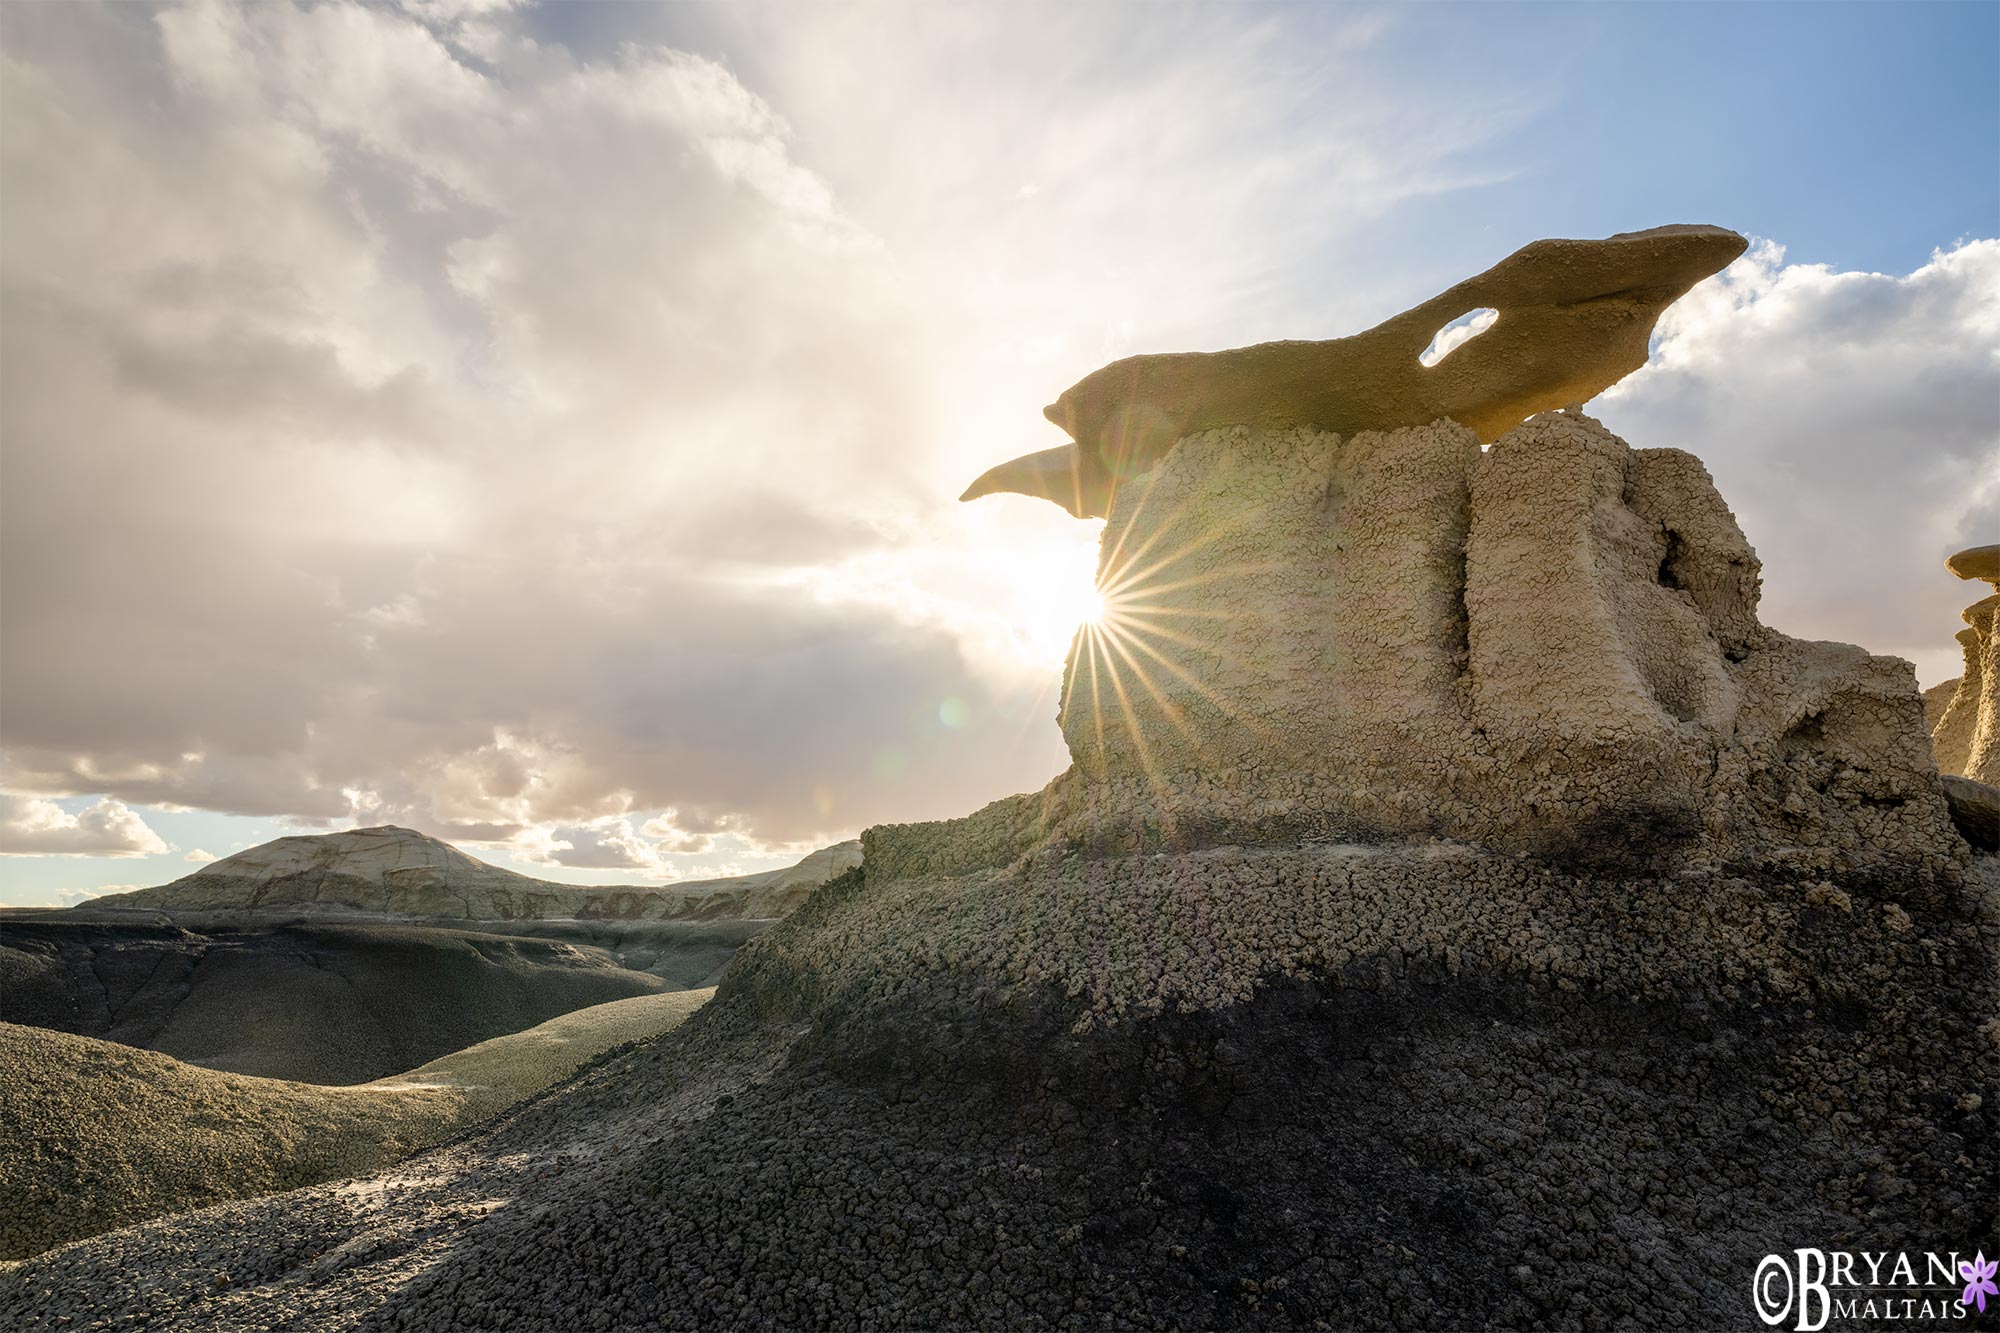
[{"x": 399, "y": 874}]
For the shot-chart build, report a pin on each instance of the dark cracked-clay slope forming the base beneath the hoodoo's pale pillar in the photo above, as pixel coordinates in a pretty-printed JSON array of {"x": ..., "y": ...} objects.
[{"x": 1287, "y": 1088}]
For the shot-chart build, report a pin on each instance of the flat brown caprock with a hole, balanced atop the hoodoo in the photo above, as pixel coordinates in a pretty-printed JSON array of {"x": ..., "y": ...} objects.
[{"x": 1575, "y": 317}]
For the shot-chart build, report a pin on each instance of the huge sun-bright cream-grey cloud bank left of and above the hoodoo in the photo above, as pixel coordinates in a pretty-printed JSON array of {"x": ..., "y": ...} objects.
[{"x": 445, "y": 427}]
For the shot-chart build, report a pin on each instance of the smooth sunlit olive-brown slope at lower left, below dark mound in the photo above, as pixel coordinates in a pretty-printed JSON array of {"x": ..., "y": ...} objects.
[{"x": 103, "y": 1136}]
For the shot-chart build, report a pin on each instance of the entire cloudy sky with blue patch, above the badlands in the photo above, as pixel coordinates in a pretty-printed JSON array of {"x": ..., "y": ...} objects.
[{"x": 543, "y": 427}]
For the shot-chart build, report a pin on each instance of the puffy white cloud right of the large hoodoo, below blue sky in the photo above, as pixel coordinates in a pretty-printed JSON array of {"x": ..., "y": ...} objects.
[{"x": 1853, "y": 421}]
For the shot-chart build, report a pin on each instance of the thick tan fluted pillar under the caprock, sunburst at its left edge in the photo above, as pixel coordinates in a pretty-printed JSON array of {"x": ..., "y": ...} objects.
[{"x": 1549, "y": 647}]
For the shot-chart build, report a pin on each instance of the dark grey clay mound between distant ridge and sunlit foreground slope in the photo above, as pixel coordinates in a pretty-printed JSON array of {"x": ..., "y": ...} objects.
[{"x": 313, "y": 1004}]
